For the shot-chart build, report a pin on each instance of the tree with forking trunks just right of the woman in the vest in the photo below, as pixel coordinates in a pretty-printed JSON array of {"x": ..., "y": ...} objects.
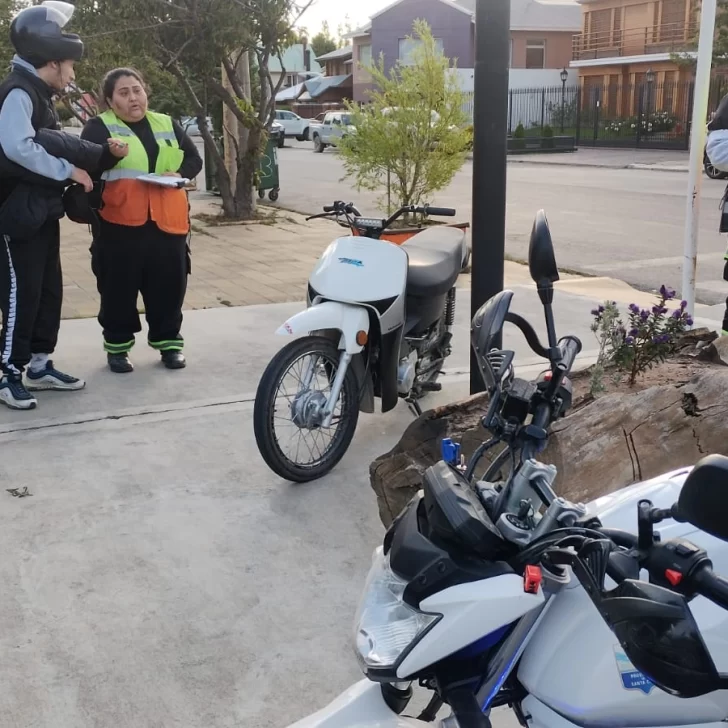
[{"x": 192, "y": 41}]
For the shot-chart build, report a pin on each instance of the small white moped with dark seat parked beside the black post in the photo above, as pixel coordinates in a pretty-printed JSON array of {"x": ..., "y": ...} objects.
[{"x": 378, "y": 323}]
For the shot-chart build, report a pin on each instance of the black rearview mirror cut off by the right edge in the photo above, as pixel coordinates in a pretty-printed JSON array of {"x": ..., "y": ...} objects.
[{"x": 704, "y": 496}]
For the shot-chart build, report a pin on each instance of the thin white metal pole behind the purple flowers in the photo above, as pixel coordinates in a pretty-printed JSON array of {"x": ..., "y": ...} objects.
[{"x": 697, "y": 145}]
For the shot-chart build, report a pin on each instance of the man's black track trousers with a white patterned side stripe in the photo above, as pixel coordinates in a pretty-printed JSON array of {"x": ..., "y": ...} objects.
[{"x": 31, "y": 296}]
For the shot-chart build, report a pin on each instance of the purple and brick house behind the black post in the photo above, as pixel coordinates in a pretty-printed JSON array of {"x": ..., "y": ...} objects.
[{"x": 541, "y": 38}]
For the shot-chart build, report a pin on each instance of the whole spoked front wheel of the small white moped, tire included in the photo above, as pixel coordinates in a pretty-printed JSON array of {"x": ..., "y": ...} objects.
[{"x": 288, "y": 411}]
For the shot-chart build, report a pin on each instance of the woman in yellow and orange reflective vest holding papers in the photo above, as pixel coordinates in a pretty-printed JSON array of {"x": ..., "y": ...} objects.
[{"x": 141, "y": 242}]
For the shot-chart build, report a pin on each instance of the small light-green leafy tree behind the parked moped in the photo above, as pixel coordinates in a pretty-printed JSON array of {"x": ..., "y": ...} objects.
[{"x": 412, "y": 137}]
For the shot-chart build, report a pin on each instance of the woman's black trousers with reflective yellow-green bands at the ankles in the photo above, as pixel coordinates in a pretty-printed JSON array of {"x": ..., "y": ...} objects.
[{"x": 132, "y": 260}]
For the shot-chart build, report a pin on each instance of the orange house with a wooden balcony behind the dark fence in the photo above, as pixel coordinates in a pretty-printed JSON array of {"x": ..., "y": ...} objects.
[{"x": 629, "y": 56}]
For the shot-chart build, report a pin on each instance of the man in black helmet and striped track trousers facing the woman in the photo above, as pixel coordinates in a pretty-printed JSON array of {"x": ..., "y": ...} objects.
[{"x": 31, "y": 287}]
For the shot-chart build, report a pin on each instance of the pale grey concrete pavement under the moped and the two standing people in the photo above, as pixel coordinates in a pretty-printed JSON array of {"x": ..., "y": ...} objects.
[{"x": 160, "y": 575}]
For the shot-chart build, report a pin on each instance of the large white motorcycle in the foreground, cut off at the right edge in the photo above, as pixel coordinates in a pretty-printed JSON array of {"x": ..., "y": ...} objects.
[{"x": 494, "y": 593}]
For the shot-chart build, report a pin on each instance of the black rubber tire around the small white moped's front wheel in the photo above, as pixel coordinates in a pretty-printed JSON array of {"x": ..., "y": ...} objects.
[{"x": 264, "y": 411}]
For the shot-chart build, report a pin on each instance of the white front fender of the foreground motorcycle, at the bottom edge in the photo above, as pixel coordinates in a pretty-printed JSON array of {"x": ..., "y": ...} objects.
[{"x": 361, "y": 706}]
